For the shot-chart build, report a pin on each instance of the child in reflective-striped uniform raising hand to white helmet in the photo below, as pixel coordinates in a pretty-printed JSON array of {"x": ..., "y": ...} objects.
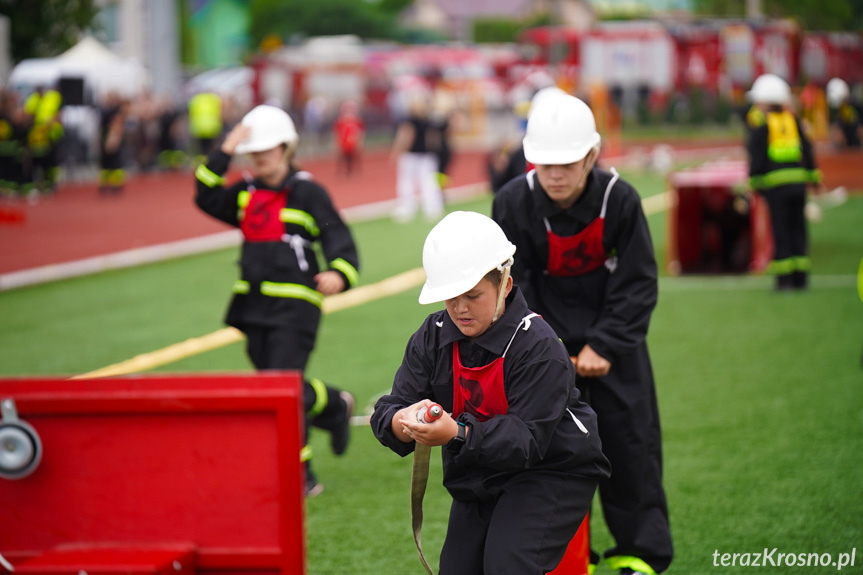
[{"x": 277, "y": 300}]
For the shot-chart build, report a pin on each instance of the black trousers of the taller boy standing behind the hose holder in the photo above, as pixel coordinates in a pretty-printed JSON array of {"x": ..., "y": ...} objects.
[{"x": 633, "y": 498}]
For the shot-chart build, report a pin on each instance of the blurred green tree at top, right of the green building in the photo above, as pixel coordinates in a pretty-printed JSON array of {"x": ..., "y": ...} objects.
[{"x": 289, "y": 18}]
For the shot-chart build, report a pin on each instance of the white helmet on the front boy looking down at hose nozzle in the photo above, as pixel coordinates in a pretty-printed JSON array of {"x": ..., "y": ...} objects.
[{"x": 459, "y": 251}]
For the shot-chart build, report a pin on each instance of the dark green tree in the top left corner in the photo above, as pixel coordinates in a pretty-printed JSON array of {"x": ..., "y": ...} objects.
[{"x": 45, "y": 28}]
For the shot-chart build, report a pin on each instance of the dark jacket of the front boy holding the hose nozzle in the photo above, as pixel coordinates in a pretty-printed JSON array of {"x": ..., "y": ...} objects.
[{"x": 547, "y": 426}]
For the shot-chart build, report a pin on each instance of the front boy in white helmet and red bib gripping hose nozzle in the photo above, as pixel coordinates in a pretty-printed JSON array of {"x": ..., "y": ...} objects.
[{"x": 521, "y": 453}]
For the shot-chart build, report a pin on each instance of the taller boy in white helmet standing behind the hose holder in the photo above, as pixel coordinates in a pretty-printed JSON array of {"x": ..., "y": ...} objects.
[{"x": 587, "y": 266}]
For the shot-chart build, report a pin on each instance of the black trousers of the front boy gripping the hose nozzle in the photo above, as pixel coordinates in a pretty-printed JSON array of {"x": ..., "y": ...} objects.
[{"x": 525, "y": 531}]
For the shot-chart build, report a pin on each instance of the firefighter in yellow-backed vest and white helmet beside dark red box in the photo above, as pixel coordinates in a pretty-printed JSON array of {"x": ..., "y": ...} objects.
[{"x": 781, "y": 168}]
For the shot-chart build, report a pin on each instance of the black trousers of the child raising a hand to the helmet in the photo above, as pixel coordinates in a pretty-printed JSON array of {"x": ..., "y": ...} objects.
[{"x": 289, "y": 349}]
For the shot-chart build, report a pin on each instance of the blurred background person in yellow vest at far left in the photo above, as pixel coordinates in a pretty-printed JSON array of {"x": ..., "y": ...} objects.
[{"x": 43, "y": 138}]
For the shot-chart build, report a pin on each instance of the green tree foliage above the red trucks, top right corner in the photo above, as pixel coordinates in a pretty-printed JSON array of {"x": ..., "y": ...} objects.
[{"x": 811, "y": 14}]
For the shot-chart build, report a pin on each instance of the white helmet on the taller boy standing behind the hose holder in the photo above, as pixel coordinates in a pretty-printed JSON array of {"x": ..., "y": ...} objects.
[{"x": 560, "y": 130}]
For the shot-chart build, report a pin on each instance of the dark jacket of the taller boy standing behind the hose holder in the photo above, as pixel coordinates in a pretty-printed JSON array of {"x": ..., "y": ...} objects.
[{"x": 608, "y": 310}]
